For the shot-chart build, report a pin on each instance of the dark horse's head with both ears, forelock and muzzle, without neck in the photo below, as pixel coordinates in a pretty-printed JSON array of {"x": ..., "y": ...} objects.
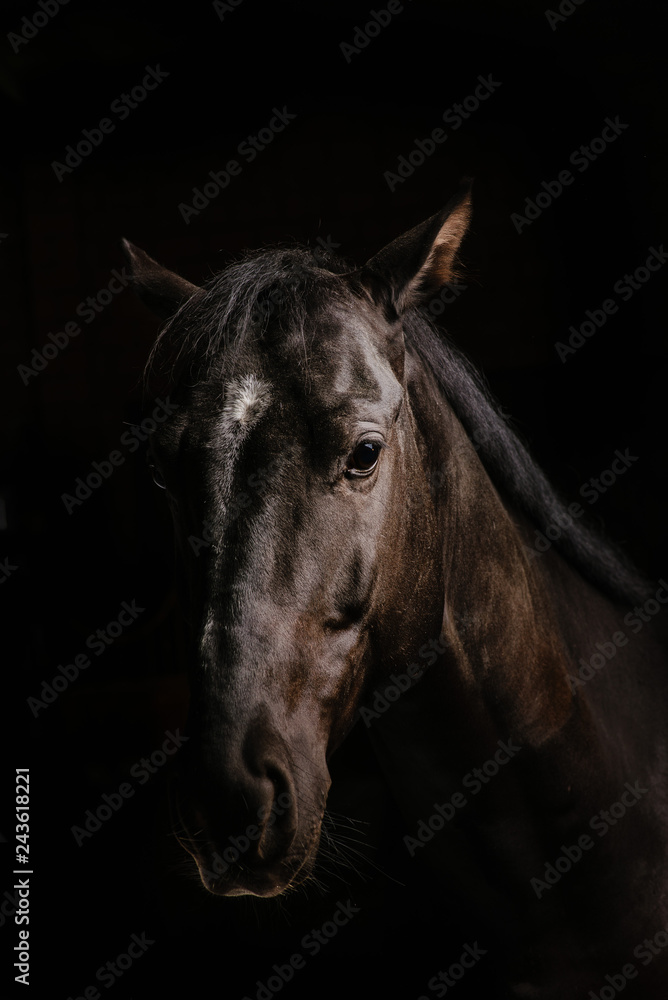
[{"x": 300, "y": 495}]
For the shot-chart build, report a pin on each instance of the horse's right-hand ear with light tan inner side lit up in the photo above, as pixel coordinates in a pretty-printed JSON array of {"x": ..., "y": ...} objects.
[{"x": 423, "y": 259}]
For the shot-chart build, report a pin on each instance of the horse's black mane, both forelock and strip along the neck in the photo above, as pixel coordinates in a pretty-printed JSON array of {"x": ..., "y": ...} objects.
[{"x": 236, "y": 306}]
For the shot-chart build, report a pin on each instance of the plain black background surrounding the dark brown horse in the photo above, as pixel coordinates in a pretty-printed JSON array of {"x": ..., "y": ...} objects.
[{"x": 323, "y": 176}]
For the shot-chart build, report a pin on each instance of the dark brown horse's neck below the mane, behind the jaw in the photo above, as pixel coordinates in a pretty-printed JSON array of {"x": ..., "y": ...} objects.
[{"x": 499, "y": 701}]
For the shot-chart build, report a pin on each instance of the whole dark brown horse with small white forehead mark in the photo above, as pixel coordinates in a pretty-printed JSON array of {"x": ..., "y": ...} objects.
[{"x": 365, "y": 541}]
